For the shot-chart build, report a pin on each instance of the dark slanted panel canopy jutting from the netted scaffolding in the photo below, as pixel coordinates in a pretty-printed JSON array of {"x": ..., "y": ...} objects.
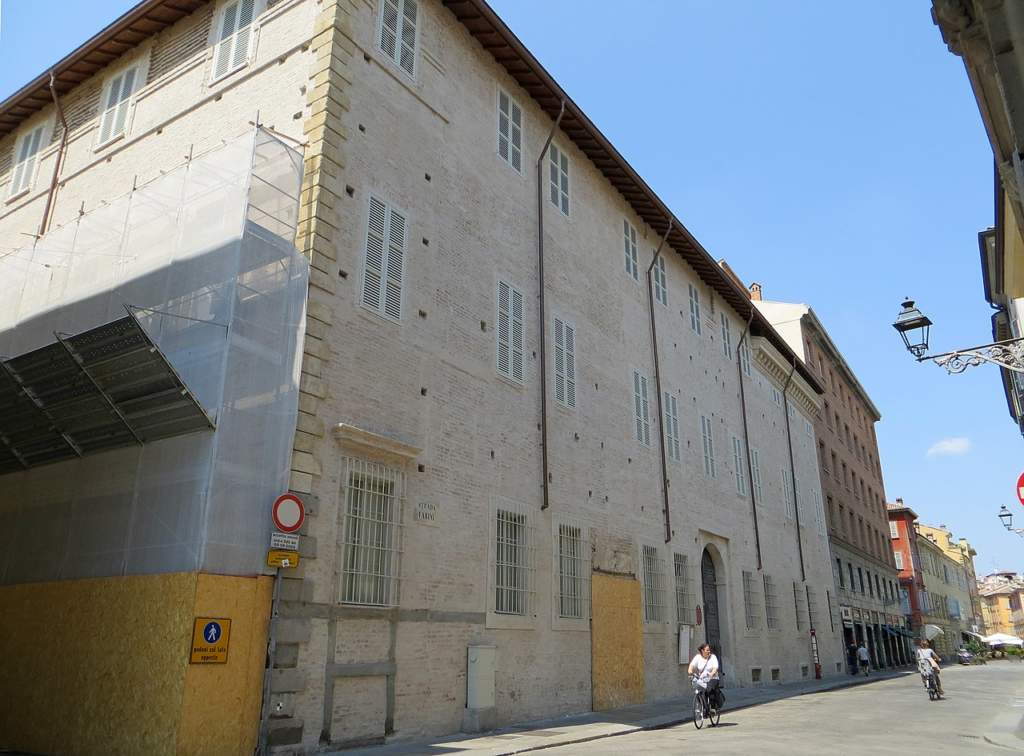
[{"x": 104, "y": 389}]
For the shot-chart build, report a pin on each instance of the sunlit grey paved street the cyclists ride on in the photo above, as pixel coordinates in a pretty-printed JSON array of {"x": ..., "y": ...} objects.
[{"x": 889, "y": 717}]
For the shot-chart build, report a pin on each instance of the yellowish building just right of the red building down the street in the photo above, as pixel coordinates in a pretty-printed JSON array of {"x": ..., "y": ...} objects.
[{"x": 947, "y": 600}]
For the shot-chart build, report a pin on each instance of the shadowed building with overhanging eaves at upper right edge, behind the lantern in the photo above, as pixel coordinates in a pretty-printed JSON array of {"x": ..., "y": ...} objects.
[{"x": 982, "y": 33}]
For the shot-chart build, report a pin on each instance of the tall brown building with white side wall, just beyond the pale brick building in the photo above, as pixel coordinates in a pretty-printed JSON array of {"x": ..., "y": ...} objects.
[{"x": 851, "y": 482}]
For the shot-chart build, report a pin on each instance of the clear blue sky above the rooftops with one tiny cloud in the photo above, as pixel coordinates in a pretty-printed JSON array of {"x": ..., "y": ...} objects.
[{"x": 836, "y": 157}]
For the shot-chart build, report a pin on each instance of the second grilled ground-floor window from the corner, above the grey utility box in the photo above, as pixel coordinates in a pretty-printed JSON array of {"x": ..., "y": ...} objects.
[{"x": 515, "y": 564}]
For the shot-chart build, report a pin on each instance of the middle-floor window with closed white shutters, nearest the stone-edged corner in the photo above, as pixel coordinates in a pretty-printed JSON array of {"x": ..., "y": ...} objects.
[{"x": 382, "y": 275}]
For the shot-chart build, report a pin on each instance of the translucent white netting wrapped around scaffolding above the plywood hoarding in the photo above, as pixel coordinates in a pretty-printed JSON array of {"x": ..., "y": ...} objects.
[{"x": 205, "y": 258}]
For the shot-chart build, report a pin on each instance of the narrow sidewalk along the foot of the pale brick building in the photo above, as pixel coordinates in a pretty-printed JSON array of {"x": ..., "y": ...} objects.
[{"x": 582, "y": 728}]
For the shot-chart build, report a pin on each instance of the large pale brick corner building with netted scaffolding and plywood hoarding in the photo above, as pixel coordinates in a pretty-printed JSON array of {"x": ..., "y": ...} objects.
[{"x": 522, "y": 505}]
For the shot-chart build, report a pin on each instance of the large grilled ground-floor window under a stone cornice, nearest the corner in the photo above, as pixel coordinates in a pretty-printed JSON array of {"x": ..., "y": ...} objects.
[{"x": 374, "y": 496}]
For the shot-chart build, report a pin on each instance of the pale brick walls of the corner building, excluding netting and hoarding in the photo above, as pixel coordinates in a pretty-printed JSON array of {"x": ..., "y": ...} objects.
[{"x": 434, "y": 538}]
